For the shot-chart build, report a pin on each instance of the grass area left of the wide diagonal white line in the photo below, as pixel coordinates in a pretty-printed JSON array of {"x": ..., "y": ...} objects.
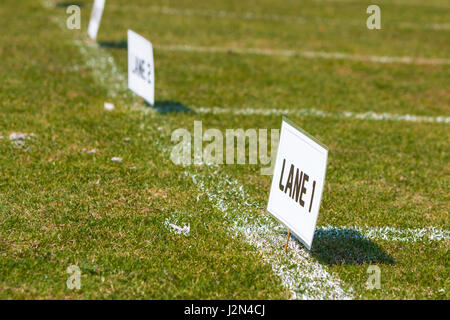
[{"x": 62, "y": 207}]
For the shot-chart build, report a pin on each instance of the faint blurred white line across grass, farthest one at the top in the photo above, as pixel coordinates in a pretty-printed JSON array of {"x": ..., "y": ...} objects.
[{"x": 254, "y": 16}]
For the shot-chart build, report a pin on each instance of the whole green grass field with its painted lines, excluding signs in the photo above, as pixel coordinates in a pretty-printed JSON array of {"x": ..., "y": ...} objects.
[{"x": 61, "y": 205}]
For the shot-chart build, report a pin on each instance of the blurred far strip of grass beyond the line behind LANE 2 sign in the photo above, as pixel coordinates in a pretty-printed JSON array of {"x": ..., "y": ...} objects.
[{"x": 308, "y": 25}]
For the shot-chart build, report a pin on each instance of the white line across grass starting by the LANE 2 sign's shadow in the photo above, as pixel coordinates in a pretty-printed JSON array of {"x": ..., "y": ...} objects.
[{"x": 317, "y": 113}]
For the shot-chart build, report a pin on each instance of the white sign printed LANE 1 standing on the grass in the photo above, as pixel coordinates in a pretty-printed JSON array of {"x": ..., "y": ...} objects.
[{"x": 298, "y": 181}]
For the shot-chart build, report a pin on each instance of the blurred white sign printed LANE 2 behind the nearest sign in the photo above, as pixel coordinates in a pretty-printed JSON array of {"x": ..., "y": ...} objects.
[{"x": 141, "y": 72}]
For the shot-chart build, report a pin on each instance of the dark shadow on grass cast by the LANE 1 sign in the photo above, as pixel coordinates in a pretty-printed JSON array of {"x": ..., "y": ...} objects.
[{"x": 347, "y": 247}]
